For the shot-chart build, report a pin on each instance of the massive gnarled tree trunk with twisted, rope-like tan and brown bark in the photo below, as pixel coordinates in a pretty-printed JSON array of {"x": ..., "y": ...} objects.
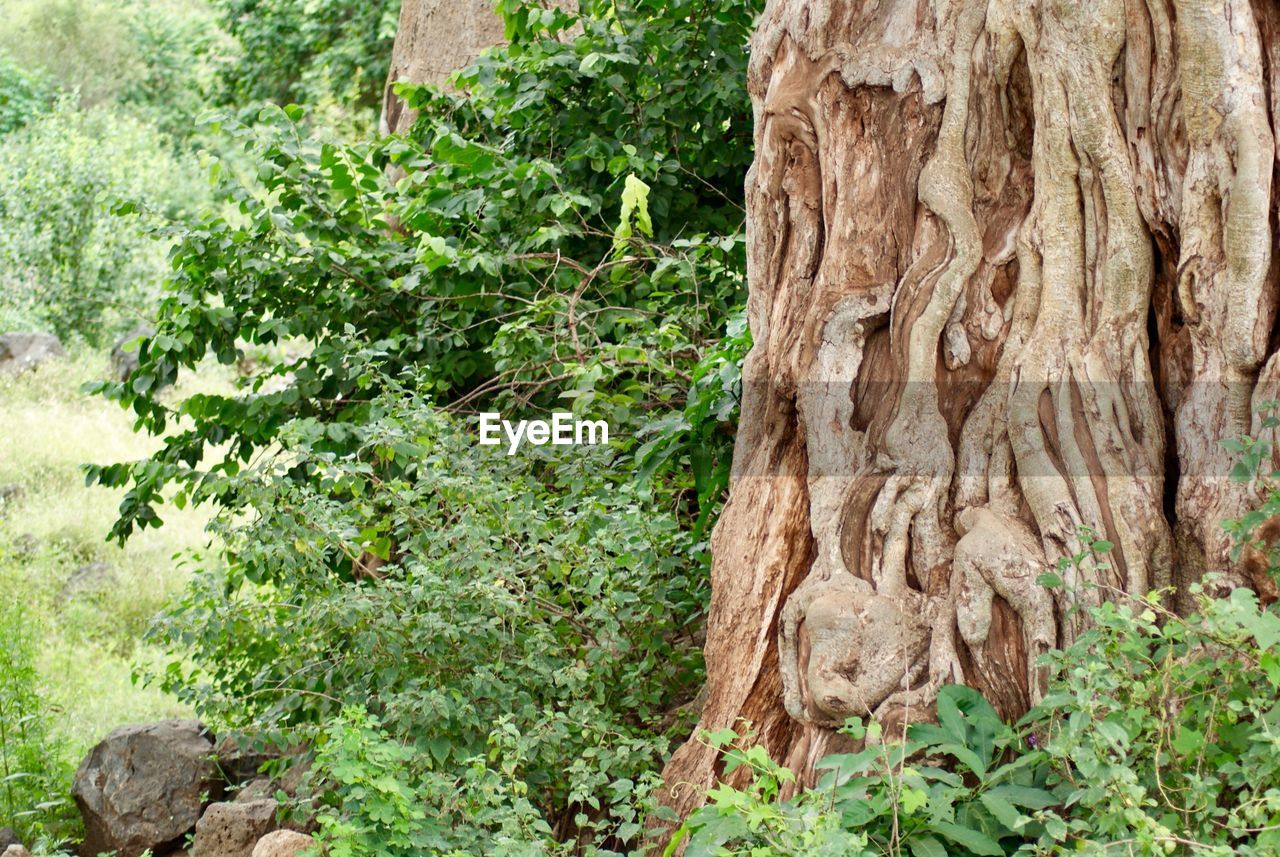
[{"x": 1013, "y": 274}]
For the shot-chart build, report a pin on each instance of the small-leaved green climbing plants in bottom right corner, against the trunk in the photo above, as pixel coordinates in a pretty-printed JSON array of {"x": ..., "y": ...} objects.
[{"x": 1165, "y": 727}]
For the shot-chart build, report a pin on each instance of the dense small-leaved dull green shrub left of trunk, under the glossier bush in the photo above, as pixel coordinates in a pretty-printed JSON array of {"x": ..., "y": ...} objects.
[{"x": 552, "y": 615}]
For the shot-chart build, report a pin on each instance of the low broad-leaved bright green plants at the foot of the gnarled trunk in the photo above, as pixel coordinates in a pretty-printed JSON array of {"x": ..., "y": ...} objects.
[{"x": 966, "y": 786}]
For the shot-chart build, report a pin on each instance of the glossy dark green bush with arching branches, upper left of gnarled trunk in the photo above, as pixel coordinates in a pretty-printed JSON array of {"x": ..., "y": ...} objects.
[{"x": 508, "y": 290}]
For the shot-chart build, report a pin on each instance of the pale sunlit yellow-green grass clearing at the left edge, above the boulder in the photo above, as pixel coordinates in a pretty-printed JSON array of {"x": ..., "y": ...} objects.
[{"x": 89, "y": 645}]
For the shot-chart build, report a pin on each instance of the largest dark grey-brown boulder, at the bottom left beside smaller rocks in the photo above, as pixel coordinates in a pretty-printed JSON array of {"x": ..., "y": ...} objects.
[{"x": 144, "y": 787}]
